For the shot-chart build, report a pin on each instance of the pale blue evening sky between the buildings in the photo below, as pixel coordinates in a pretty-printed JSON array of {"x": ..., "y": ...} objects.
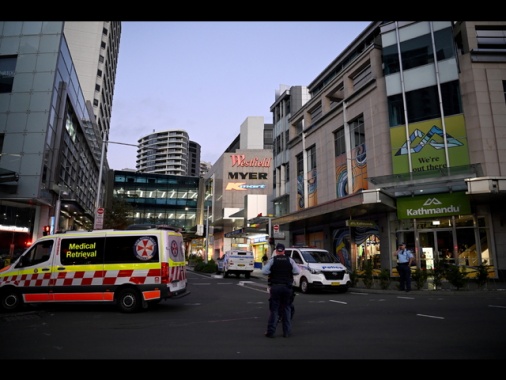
[{"x": 208, "y": 77}]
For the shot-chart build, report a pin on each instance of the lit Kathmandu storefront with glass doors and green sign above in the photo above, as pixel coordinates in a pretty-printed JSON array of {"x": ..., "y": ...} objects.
[{"x": 442, "y": 227}]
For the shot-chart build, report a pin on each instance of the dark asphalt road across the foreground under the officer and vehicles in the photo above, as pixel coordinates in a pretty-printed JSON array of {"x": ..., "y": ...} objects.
[{"x": 226, "y": 319}]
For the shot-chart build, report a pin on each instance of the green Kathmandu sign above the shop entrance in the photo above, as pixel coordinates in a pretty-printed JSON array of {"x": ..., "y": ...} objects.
[{"x": 433, "y": 205}]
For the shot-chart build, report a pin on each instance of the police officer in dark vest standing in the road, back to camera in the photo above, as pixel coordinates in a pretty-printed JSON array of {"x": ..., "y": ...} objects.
[{"x": 280, "y": 269}]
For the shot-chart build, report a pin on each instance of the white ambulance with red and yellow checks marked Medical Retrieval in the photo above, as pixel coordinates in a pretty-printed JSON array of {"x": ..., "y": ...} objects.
[{"x": 129, "y": 268}]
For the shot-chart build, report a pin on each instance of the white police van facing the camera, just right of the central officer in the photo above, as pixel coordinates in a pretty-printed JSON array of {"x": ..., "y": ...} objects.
[{"x": 318, "y": 270}]
